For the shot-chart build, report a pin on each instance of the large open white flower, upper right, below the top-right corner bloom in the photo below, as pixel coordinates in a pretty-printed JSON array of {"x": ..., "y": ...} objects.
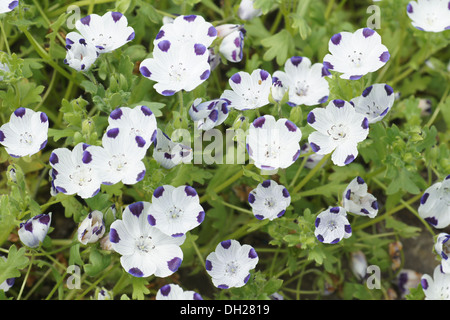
[{"x": 356, "y": 54}]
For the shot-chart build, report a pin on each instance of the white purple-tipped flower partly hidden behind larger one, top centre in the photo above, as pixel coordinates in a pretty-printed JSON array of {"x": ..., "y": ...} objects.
[{"x": 187, "y": 30}]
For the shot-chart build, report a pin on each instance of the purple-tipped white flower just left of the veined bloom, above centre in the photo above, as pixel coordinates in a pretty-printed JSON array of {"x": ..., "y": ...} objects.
[{"x": 248, "y": 91}]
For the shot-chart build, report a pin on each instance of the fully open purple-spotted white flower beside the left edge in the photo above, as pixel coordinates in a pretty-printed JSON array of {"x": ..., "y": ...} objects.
[{"x": 26, "y": 132}]
